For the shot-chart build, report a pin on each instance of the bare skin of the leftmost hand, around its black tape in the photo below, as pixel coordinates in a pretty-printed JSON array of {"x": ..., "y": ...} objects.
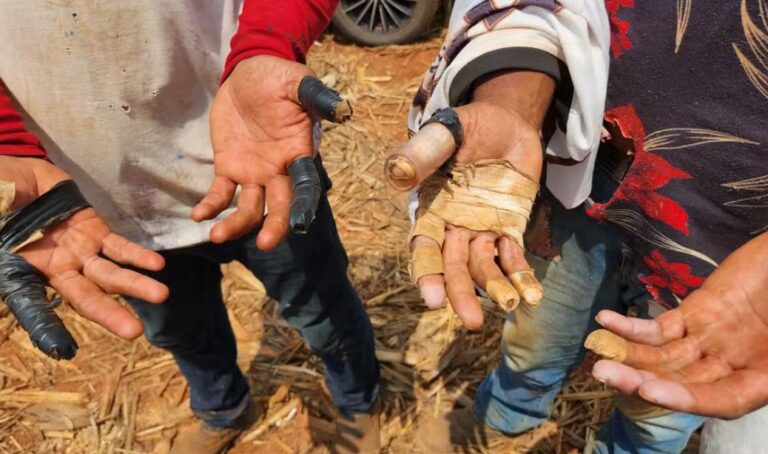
[{"x": 68, "y": 255}]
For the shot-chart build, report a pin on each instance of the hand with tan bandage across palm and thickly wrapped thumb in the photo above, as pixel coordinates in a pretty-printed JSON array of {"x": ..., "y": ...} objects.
[{"x": 482, "y": 205}]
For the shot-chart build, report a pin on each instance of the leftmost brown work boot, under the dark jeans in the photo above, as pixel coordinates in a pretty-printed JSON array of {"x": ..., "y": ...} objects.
[{"x": 198, "y": 438}]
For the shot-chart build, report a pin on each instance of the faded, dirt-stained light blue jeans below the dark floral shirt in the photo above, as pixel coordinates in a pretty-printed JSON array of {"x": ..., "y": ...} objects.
[{"x": 541, "y": 346}]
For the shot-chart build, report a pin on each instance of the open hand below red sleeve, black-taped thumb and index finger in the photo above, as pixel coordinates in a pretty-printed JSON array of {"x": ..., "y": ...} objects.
[{"x": 261, "y": 124}]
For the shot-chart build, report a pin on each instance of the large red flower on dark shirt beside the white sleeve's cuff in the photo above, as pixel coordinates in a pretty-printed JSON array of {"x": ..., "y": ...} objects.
[{"x": 649, "y": 172}]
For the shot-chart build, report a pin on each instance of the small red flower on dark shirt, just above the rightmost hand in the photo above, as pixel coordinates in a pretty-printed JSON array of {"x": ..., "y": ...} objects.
[{"x": 675, "y": 277}]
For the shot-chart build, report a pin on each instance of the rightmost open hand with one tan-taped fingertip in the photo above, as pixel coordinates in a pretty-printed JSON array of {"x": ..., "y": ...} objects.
[{"x": 709, "y": 356}]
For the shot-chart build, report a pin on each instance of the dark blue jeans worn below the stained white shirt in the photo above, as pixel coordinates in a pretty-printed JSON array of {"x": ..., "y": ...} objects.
[{"x": 307, "y": 275}]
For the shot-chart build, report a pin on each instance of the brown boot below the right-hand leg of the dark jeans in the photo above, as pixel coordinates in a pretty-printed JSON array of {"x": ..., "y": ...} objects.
[{"x": 360, "y": 433}]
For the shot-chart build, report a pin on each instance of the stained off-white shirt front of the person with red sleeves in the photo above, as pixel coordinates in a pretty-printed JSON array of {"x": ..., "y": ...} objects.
[{"x": 119, "y": 93}]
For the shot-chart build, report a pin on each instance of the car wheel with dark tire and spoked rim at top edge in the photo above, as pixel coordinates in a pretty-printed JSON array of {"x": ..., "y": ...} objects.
[{"x": 414, "y": 22}]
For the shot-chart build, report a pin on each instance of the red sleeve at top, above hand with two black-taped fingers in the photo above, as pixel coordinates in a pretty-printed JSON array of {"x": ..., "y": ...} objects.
[{"x": 281, "y": 28}]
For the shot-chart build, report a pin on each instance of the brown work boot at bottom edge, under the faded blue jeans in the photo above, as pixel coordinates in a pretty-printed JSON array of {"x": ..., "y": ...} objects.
[{"x": 460, "y": 431}]
